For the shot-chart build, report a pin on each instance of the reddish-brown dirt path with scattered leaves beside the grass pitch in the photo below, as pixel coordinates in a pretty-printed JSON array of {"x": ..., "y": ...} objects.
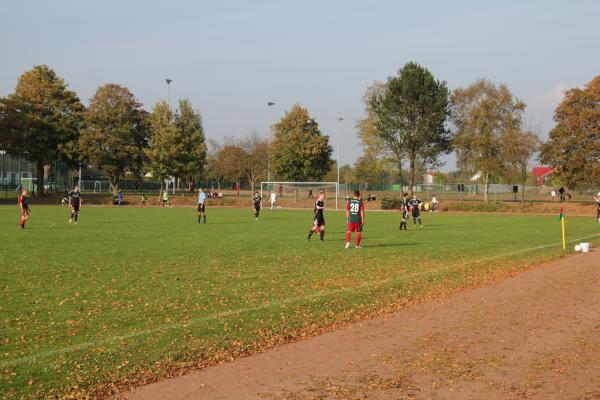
[{"x": 533, "y": 336}]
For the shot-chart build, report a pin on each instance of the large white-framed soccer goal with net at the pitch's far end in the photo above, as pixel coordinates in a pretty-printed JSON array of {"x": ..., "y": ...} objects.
[{"x": 302, "y": 190}]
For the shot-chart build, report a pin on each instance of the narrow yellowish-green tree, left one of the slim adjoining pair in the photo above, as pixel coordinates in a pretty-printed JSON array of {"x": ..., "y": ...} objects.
[{"x": 165, "y": 146}]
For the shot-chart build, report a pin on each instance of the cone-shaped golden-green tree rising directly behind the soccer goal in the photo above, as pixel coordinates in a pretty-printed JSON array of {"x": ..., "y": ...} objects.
[{"x": 299, "y": 151}]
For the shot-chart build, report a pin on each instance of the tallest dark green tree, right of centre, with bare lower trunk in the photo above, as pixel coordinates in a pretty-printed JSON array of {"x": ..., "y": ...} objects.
[{"x": 410, "y": 117}]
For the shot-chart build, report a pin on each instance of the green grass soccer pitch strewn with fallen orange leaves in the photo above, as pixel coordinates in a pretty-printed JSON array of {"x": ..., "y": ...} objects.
[{"x": 132, "y": 294}]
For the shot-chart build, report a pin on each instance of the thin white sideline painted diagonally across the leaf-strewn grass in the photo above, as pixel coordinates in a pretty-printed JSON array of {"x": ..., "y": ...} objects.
[{"x": 194, "y": 321}]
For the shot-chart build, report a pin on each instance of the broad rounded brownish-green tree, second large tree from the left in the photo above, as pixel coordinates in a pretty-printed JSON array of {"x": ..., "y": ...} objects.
[{"x": 115, "y": 133}]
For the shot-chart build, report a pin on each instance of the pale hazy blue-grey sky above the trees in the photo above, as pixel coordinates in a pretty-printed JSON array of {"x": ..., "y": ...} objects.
[{"x": 232, "y": 57}]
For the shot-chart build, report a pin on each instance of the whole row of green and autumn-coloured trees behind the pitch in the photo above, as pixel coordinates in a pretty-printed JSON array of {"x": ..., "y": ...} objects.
[{"x": 411, "y": 120}]
